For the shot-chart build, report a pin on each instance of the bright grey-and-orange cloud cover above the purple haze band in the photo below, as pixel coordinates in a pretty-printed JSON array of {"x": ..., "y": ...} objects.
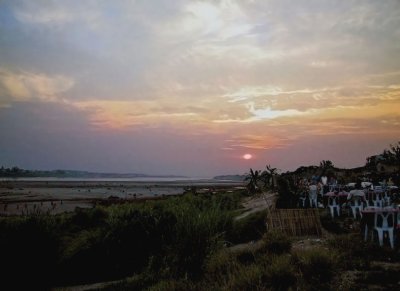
[{"x": 251, "y": 74}]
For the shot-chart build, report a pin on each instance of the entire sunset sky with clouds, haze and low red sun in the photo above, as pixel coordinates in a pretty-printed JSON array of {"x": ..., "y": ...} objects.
[{"x": 197, "y": 88}]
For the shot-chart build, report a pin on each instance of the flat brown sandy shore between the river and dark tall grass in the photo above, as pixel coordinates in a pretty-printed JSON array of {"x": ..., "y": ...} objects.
[{"x": 18, "y": 197}]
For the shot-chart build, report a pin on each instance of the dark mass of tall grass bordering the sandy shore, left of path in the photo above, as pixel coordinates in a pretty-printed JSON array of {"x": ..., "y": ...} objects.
[{"x": 171, "y": 238}]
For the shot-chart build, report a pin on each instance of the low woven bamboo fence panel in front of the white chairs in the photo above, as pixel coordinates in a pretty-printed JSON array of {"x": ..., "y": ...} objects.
[{"x": 295, "y": 222}]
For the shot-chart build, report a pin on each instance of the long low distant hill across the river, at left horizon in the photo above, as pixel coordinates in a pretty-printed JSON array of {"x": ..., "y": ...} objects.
[{"x": 16, "y": 172}]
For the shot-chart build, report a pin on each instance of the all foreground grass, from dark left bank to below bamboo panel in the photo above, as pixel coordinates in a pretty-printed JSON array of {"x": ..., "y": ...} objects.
[{"x": 179, "y": 243}]
